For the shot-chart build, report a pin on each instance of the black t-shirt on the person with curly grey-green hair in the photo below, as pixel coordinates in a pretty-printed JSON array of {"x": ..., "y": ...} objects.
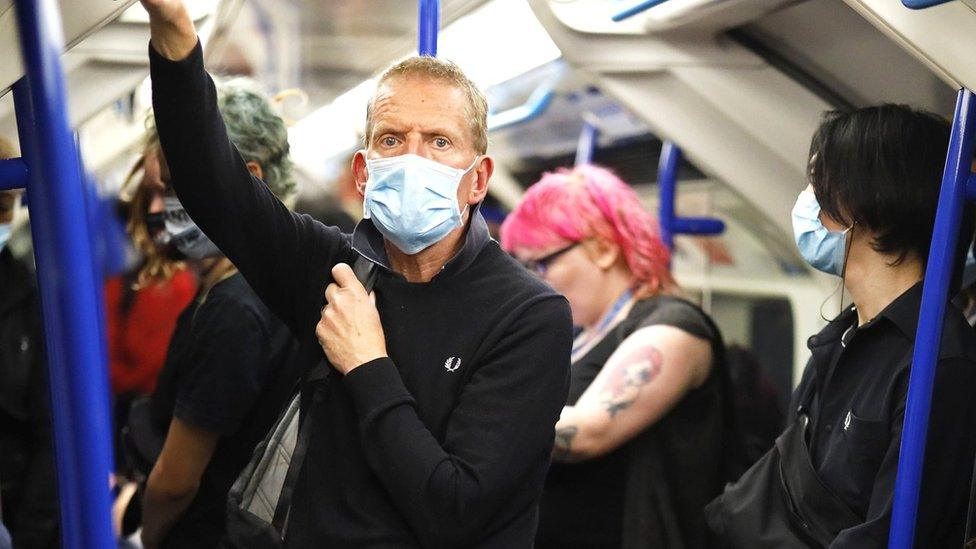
[{"x": 230, "y": 367}]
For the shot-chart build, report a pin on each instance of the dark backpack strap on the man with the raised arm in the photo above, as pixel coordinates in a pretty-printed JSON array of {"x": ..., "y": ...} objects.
[{"x": 366, "y": 272}]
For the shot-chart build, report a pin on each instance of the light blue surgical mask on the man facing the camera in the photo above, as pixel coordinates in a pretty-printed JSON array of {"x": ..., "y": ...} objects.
[{"x": 412, "y": 200}]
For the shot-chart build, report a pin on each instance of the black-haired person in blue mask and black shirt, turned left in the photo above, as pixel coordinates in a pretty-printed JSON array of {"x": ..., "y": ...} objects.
[{"x": 829, "y": 481}]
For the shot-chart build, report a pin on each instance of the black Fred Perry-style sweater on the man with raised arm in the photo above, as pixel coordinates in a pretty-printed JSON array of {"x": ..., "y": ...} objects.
[{"x": 447, "y": 442}]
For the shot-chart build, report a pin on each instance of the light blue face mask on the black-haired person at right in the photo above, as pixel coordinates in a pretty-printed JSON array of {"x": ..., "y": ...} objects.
[{"x": 823, "y": 249}]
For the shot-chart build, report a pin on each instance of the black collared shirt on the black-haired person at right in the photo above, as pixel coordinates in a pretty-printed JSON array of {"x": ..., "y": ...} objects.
[{"x": 859, "y": 380}]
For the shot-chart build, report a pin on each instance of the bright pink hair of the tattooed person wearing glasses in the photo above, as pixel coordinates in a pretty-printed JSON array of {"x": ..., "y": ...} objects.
[{"x": 588, "y": 201}]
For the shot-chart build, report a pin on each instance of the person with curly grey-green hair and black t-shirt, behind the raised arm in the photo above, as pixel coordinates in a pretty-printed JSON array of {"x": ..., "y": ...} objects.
[{"x": 231, "y": 363}]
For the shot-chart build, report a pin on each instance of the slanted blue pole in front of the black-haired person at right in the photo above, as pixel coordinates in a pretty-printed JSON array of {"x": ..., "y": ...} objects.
[{"x": 935, "y": 290}]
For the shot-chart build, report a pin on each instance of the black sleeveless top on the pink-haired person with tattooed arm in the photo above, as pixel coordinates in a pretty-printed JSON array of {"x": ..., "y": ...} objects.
[{"x": 650, "y": 492}]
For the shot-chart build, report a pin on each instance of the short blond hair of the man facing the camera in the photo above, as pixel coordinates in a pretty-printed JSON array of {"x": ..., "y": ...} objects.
[{"x": 446, "y": 71}]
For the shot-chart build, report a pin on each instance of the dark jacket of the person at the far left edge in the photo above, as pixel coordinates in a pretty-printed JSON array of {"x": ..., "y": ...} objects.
[{"x": 28, "y": 492}]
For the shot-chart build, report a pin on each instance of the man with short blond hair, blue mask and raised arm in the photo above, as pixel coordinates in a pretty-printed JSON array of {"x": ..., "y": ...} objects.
[{"x": 434, "y": 425}]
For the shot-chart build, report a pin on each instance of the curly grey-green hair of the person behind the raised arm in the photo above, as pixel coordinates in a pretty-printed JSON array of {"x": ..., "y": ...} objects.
[{"x": 258, "y": 133}]
